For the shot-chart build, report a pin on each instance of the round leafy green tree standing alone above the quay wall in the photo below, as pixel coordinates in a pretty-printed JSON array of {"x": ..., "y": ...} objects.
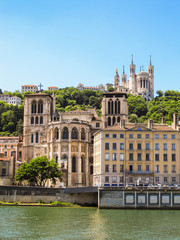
[{"x": 38, "y": 171}]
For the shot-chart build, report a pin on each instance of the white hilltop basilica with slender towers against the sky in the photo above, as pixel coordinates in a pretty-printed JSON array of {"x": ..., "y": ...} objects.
[{"x": 141, "y": 83}]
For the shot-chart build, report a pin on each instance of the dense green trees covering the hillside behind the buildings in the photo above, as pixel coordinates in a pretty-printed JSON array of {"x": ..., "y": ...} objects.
[{"x": 67, "y": 99}]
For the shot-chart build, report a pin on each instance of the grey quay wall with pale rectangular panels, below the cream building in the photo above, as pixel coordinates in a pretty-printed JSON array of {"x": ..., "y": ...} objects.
[{"x": 150, "y": 199}]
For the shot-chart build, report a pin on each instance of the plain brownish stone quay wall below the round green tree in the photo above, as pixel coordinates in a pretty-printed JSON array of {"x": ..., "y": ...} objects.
[{"x": 87, "y": 196}]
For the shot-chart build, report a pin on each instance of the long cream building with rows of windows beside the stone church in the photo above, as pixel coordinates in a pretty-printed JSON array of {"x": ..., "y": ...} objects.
[{"x": 137, "y": 154}]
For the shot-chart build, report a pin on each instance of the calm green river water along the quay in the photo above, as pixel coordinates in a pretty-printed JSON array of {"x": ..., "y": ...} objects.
[{"x": 87, "y": 223}]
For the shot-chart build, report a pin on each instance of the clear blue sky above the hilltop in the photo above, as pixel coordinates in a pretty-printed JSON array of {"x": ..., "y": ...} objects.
[{"x": 66, "y": 42}]
